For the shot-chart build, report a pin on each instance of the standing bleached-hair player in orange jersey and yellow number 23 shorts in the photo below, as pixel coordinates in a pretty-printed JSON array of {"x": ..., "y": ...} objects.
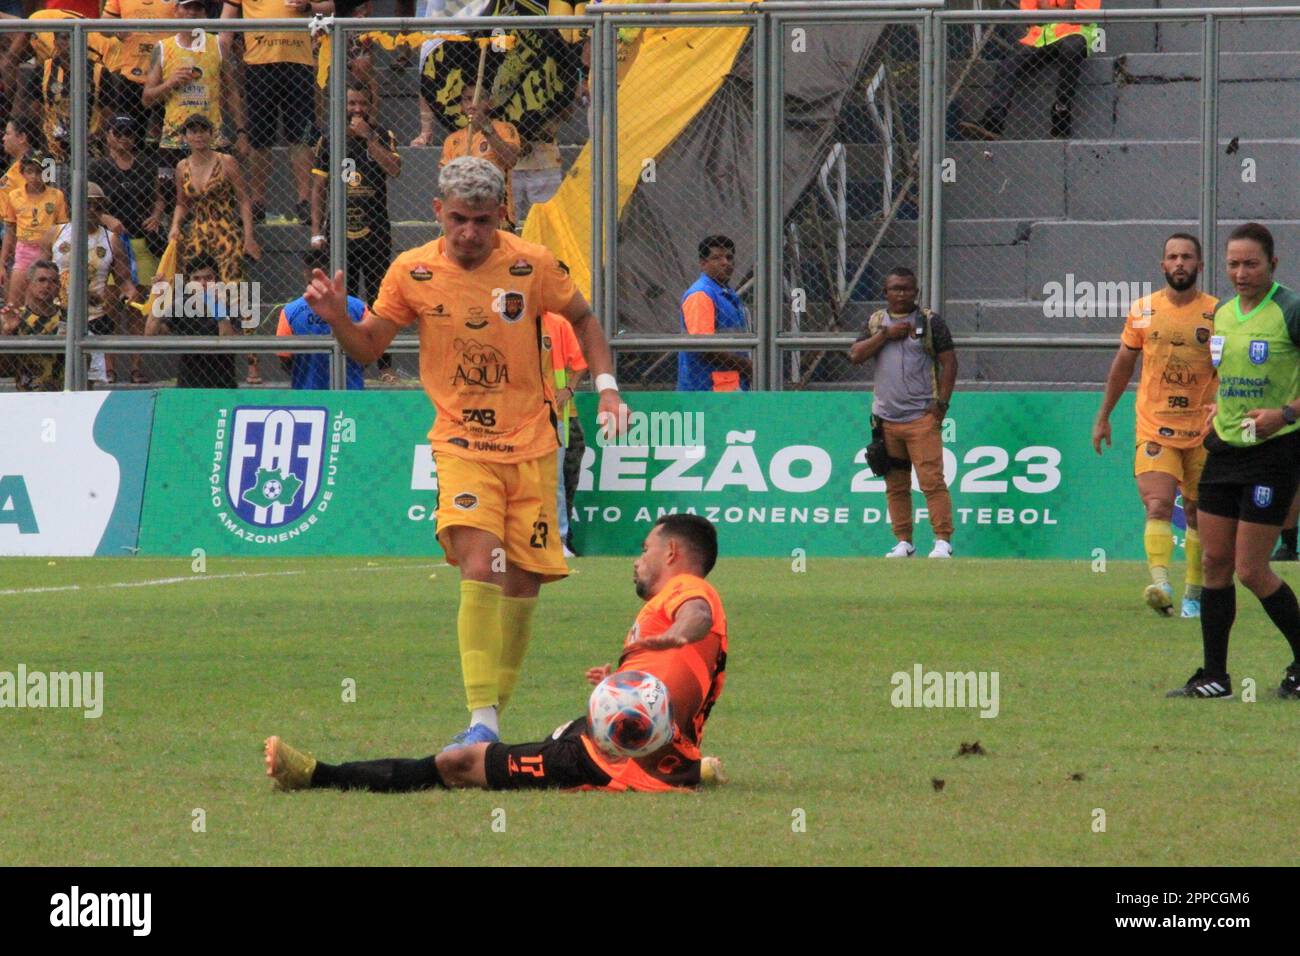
[{"x": 478, "y": 296}]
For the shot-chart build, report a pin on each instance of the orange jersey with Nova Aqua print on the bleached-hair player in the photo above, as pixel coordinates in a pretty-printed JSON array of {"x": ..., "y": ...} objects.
[{"x": 486, "y": 361}]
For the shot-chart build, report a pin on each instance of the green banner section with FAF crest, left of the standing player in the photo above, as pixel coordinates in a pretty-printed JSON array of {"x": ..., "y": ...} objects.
[{"x": 274, "y": 473}]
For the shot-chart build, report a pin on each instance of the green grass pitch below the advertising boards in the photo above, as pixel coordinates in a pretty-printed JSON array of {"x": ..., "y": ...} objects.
[{"x": 197, "y": 673}]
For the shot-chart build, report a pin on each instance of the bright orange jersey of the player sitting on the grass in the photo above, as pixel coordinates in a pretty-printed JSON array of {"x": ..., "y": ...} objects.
[{"x": 694, "y": 674}]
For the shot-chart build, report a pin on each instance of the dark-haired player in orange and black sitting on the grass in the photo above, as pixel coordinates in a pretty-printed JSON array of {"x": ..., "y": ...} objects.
[{"x": 679, "y": 637}]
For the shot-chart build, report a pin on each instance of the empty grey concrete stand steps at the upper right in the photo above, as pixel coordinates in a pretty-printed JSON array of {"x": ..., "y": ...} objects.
[{"x": 1086, "y": 206}]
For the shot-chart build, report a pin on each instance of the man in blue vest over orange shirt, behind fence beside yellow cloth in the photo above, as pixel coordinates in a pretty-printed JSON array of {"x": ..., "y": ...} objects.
[{"x": 708, "y": 308}]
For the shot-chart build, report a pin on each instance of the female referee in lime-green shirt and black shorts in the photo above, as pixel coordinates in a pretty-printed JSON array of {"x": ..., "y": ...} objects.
[{"x": 1253, "y": 466}]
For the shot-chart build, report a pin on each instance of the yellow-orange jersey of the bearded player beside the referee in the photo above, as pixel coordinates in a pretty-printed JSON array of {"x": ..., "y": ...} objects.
[{"x": 1177, "y": 374}]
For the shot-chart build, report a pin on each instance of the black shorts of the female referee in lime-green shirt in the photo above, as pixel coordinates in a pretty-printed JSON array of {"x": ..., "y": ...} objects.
[{"x": 1251, "y": 485}]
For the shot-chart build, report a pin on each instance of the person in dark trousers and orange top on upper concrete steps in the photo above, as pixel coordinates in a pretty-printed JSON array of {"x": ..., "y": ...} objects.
[{"x": 1065, "y": 44}]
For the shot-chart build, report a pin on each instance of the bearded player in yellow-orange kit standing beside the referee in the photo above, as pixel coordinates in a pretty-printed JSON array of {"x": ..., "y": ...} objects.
[{"x": 1172, "y": 332}]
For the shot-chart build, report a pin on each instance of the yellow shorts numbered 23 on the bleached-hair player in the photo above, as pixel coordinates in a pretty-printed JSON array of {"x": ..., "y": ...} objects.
[{"x": 515, "y": 503}]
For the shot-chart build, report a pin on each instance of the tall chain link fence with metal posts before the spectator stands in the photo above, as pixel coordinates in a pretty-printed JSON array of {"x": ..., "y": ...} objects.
[{"x": 747, "y": 174}]
